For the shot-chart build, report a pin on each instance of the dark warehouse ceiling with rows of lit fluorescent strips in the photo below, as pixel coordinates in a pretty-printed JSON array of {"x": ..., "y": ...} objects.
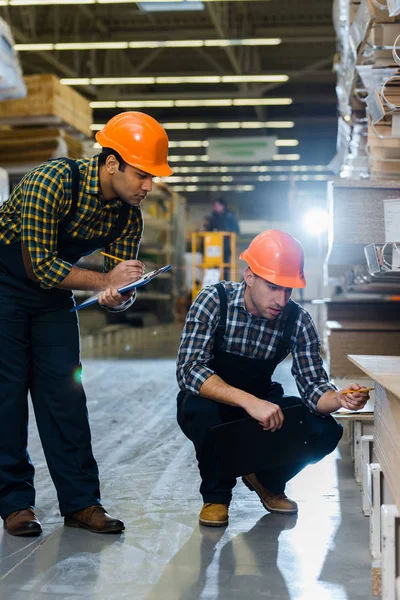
[{"x": 223, "y": 43}]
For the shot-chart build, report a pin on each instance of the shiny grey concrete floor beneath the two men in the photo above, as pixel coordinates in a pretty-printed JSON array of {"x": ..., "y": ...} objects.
[{"x": 150, "y": 480}]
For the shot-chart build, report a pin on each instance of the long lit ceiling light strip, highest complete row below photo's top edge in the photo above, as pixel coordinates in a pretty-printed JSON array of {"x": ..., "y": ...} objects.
[{"x": 145, "y": 44}]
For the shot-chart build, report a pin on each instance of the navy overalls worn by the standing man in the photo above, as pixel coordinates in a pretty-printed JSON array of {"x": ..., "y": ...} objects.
[{"x": 40, "y": 354}]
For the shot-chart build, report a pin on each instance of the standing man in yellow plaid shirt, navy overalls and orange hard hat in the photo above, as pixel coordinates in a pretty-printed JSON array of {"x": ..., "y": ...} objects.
[{"x": 59, "y": 212}]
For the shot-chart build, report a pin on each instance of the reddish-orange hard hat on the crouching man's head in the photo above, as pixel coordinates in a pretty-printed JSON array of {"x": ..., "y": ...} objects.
[{"x": 277, "y": 257}]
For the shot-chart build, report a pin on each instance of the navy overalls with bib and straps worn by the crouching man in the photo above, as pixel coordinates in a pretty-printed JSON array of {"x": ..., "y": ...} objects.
[{"x": 197, "y": 415}]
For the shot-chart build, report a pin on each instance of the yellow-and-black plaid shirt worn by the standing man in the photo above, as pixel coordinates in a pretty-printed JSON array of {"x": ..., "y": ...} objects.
[{"x": 40, "y": 202}]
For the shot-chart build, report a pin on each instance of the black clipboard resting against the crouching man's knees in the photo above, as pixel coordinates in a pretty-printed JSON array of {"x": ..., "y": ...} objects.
[{"x": 244, "y": 447}]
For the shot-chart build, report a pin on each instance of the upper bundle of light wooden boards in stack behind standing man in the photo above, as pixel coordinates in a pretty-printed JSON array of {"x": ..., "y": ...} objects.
[{"x": 48, "y": 102}]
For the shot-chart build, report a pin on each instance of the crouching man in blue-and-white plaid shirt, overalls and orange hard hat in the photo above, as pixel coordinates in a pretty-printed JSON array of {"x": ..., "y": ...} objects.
[{"x": 234, "y": 337}]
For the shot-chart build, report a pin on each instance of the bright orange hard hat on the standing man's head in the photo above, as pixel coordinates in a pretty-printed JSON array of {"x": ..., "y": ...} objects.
[{"x": 140, "y": 140}]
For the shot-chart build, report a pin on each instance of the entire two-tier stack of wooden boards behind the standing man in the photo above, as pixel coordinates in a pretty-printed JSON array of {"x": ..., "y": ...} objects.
[{"x": 51, "y": 121}]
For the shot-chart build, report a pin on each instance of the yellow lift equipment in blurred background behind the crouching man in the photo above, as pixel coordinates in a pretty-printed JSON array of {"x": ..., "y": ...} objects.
[{"x": 218, "y": 251}]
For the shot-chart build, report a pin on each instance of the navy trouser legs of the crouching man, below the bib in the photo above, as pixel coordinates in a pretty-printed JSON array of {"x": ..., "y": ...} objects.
[{"x": 197, "y": 415}]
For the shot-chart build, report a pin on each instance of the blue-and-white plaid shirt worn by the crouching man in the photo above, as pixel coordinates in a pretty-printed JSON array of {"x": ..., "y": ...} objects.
[{"x": 251, "y": 337}]
